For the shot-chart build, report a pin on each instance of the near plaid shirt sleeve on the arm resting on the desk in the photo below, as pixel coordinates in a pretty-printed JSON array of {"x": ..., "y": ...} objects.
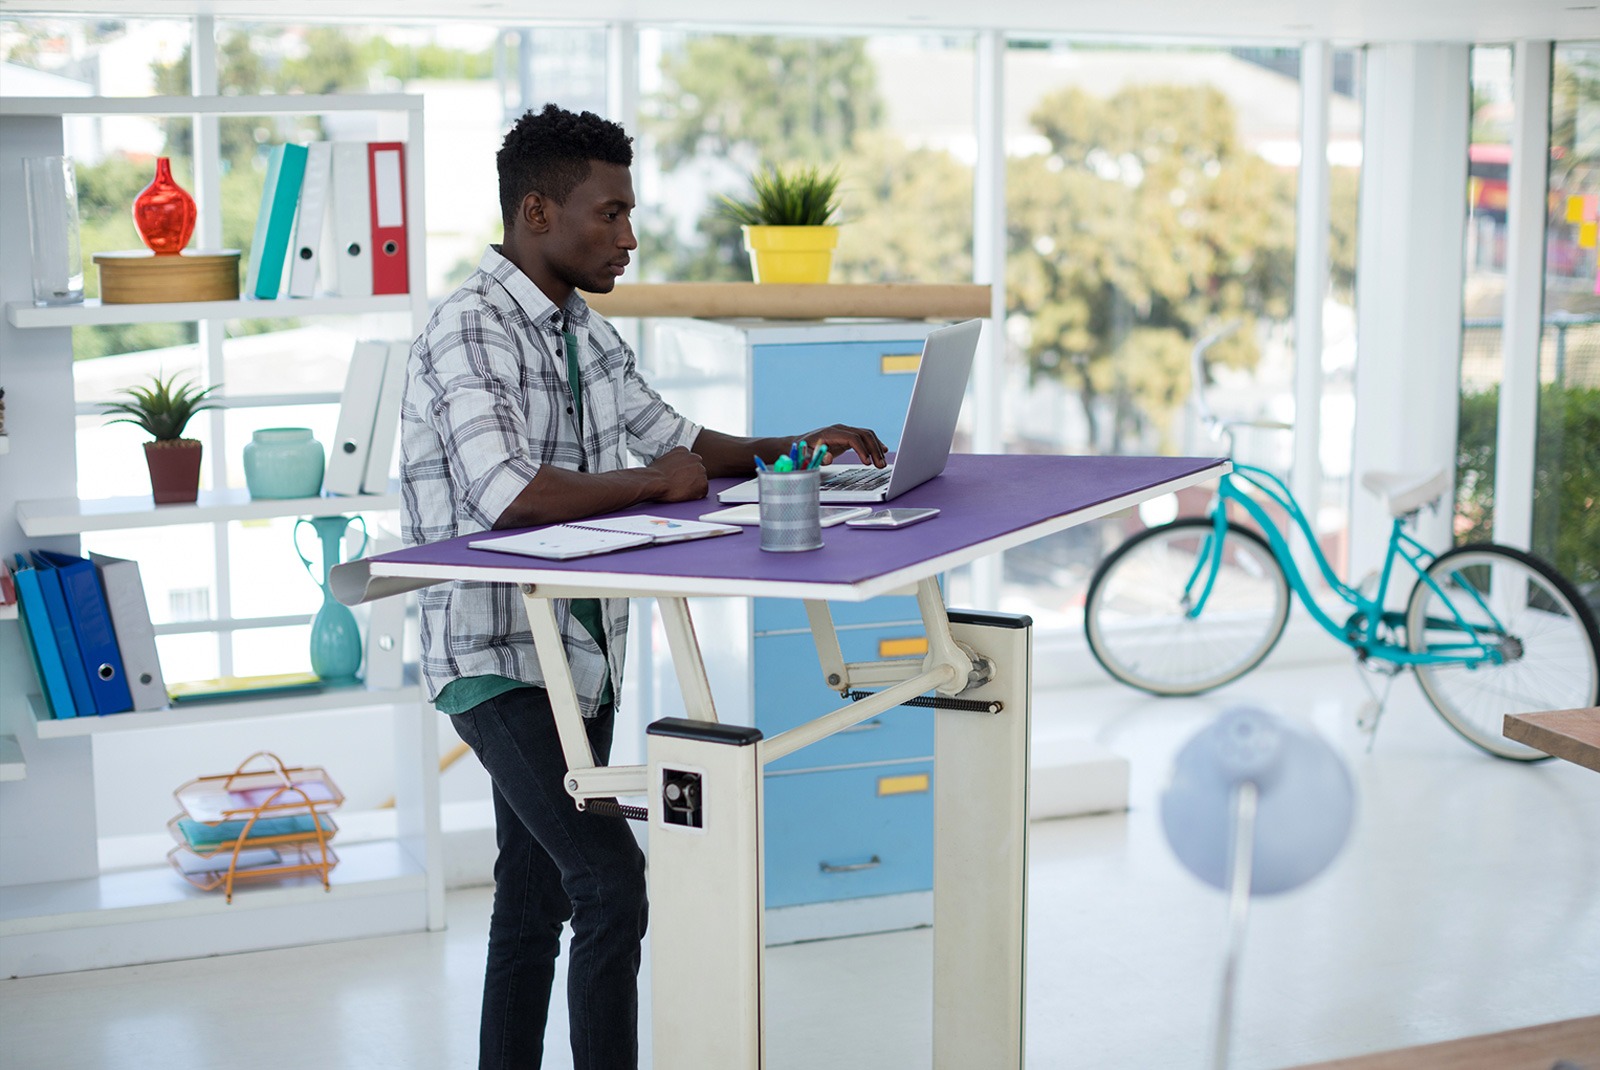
[{"x": 476, "y": 402}]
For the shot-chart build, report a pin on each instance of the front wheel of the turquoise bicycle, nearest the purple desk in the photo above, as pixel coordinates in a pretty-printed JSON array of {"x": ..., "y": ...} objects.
[{"x": 1137, "y": 613}]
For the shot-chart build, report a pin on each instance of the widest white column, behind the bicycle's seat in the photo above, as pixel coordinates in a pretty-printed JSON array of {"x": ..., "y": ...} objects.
[{"x": 1409, "y": 281}]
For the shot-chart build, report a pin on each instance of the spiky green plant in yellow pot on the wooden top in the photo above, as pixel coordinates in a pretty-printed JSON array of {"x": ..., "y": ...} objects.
[{"x": 788, "y": 223}]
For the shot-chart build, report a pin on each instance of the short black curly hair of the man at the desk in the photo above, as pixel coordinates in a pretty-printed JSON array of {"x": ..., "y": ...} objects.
[{"x": 550, "y": 154}]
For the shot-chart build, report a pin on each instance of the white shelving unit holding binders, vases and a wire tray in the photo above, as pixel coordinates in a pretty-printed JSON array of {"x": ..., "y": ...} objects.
[{"x": 58, "y": 912}]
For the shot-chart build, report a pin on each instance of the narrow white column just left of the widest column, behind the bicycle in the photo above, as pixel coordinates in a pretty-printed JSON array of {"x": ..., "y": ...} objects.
[{"x": 1311, "y": 284}]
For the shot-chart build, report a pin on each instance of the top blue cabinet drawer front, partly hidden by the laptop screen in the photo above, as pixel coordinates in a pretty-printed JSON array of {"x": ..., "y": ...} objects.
[{"x": 802, "y": 386}]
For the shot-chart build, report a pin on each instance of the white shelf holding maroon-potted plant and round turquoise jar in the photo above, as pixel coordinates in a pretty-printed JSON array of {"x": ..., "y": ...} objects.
[{"x": 76, "y": 516}]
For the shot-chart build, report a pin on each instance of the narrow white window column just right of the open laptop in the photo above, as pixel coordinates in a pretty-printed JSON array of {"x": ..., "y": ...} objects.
[{"x": 990, "y": 268}]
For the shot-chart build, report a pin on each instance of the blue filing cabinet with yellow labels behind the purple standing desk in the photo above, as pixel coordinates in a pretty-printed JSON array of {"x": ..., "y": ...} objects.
[{"x": 850, "y": 816}]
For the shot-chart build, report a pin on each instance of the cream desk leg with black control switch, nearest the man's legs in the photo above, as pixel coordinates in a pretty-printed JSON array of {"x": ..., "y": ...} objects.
[{"x": 706, "y": 895}]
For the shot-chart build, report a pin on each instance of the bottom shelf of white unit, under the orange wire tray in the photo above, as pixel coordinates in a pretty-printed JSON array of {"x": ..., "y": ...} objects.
[{"x": 159, "y": 893}]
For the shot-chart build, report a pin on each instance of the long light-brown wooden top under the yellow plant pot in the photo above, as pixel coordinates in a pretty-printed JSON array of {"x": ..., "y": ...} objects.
[{"x": 790, "y": 301}]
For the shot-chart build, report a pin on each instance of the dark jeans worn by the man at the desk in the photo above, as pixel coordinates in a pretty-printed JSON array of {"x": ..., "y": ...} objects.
[{"x": 556, "y": 864}]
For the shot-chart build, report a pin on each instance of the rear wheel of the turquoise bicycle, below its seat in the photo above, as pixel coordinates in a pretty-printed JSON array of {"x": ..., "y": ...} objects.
[{"x": 1521, "y": 607}]
